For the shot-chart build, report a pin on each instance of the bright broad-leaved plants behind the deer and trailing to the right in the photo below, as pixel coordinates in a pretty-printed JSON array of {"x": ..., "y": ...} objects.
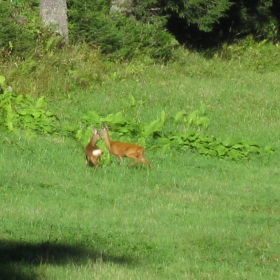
[{"x": 127, "y": 129}]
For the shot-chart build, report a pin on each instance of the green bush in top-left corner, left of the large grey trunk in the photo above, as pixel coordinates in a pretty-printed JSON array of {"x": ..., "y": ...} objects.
[{"x": 21, "y": 31}]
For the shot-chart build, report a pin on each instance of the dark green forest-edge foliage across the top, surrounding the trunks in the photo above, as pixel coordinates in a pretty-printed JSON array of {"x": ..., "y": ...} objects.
[{"x": 152, "y": 30}]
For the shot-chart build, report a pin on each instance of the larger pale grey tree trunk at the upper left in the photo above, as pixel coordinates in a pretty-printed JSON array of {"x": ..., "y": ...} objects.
[{"x": 55, "y": 12}]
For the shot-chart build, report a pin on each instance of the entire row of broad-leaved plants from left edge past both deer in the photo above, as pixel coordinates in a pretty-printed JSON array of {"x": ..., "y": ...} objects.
[{"x": 25, "y": 112}]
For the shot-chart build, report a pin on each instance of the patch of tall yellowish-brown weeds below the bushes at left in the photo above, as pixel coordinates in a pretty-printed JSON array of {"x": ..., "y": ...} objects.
[{"x": 56, "y": 73}]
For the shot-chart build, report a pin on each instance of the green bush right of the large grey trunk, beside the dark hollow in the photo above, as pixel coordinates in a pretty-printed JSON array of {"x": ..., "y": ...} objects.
[{"x": 119, "y": 36}]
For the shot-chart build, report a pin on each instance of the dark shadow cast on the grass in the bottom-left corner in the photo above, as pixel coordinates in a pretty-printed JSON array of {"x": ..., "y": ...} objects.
[{"x": 18, "y": 260}]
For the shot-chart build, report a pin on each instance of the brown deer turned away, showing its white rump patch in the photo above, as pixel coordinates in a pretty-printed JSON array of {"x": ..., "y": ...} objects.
[{"x": 92, "y": 151}]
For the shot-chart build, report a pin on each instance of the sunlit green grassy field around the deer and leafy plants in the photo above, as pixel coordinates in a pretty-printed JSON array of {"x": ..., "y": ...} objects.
[{"x": 189, "y": 217}]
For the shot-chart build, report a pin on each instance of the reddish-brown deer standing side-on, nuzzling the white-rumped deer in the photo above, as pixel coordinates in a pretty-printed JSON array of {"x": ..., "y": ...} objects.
[{"x": 121, "y": 149}]
